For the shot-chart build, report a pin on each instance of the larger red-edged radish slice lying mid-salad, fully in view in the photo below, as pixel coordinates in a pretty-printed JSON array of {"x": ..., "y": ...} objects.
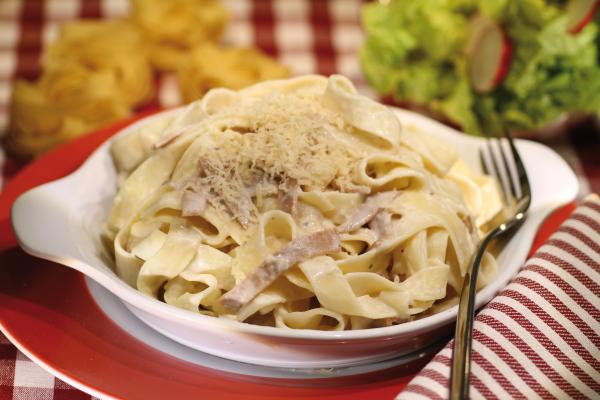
[{"x": 489, "y": 52}]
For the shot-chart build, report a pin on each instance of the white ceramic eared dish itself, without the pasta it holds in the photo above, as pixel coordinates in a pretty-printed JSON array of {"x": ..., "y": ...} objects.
[{"x": 61, "y": 221}]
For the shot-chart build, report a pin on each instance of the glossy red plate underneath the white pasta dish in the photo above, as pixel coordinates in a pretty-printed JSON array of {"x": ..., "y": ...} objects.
[{"x": 47, "y": 311}]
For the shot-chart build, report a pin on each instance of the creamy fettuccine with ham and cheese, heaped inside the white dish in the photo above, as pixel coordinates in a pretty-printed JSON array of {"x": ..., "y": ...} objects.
[{"x": 297, "y": 204}]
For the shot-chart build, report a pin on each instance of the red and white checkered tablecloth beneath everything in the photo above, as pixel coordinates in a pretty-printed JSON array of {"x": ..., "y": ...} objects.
[{"x": 315, "y": 36}]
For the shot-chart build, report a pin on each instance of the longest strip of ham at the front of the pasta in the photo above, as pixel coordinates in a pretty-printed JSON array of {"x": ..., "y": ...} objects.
[{"x": 299, "y": 249}]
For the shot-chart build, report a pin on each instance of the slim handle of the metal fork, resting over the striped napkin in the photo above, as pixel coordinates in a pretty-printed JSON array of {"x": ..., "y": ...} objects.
[{"x": 461, "y": 354}]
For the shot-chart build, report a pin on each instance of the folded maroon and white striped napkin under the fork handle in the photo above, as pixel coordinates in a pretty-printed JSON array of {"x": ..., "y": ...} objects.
[{"x": 540, "y": 337}]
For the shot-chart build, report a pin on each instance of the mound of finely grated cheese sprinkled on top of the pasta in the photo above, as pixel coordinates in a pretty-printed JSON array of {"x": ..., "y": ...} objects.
[{"x": 290, "y": 139}]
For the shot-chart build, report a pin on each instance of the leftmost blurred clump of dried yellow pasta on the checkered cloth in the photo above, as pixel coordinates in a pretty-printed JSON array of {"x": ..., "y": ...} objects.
[{"x": 80, "y": 88}]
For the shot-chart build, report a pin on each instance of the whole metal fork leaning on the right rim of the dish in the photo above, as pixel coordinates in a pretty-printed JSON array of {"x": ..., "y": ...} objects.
[{"x": 507, "y": 167}]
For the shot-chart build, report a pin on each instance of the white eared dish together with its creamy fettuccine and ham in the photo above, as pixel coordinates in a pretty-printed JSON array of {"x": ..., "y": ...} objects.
[{"x": 294, "y": 223}]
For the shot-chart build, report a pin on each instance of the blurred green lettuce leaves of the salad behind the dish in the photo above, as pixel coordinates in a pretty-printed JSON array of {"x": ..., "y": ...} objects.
[{"x": 415, "y": 51}]
